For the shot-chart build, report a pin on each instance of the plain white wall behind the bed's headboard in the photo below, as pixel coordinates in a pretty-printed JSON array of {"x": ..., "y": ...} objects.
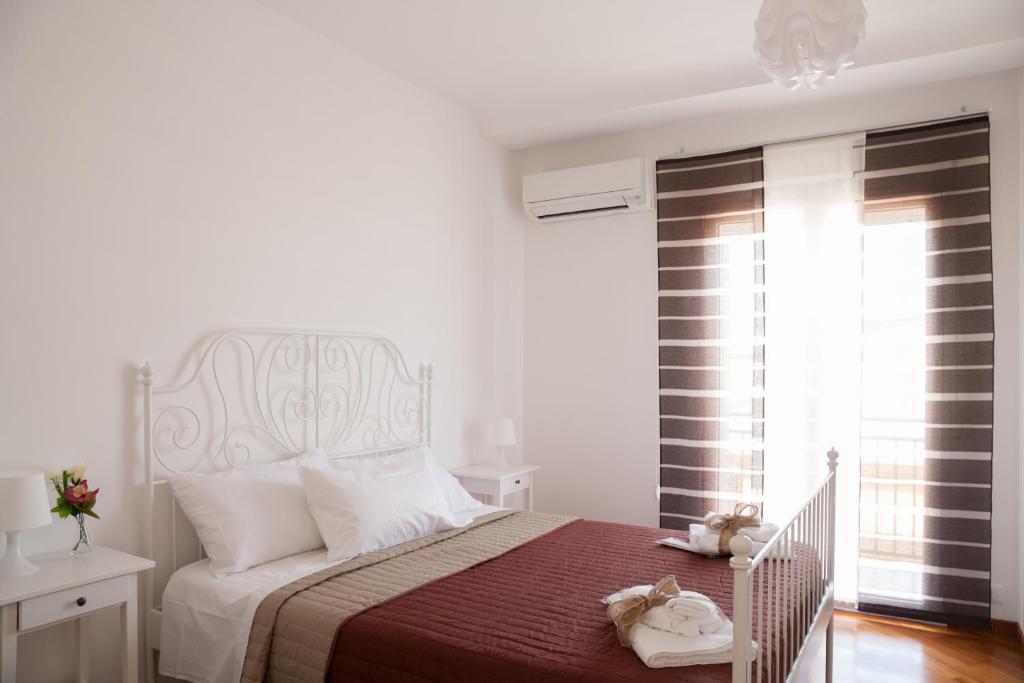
[{"x": 175, "y": 168}]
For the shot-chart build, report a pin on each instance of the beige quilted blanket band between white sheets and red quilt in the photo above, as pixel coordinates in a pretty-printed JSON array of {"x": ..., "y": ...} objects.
[{"x": 294, "y": 628}]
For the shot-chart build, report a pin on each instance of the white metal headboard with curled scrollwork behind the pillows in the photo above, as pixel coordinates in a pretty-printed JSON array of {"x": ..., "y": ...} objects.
[{"x": 262, "y": 396}]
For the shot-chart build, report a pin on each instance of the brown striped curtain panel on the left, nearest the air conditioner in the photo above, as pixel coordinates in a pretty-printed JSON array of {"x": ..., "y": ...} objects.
[{"x": 711, "y": 327}]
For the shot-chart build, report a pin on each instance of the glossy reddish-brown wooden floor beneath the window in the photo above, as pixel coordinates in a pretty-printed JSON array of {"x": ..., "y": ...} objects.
[{"x": 874, "y": 650}]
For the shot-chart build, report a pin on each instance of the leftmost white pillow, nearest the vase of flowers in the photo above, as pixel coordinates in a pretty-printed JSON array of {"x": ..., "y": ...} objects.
[{"x": 248, "y": 517}]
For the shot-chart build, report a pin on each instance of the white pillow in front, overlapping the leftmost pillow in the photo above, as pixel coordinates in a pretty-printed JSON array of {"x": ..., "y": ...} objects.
[{"x": 371, "y": 504}]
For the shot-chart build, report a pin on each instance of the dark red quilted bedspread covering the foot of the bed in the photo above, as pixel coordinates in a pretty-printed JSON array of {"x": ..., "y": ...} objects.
[{"x": 532, "y": 615}]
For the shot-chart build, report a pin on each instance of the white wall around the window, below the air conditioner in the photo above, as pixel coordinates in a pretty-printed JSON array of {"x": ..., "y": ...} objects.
[{"x": 591, "y": 297}]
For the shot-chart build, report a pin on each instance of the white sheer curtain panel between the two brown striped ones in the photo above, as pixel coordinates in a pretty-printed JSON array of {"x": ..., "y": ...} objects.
[{"x": 814, "y": 313}]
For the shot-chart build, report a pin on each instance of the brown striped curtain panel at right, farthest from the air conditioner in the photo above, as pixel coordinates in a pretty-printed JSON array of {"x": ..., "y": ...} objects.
[{"x": 926, "y": 484}]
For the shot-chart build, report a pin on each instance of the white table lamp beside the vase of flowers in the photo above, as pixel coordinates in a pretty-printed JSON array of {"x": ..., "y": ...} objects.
[{"x": 24, "y": 504}]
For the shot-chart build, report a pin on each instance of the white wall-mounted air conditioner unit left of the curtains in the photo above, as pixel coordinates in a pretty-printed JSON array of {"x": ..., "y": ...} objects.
[{"x": 588, "y": 191}]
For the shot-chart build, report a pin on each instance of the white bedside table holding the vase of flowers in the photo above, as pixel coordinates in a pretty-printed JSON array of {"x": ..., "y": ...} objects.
[{"x": 69, "y": 588}]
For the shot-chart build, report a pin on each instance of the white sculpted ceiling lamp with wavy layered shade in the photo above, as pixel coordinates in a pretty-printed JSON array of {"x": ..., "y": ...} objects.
[{"x": 806, "y": 41}]
